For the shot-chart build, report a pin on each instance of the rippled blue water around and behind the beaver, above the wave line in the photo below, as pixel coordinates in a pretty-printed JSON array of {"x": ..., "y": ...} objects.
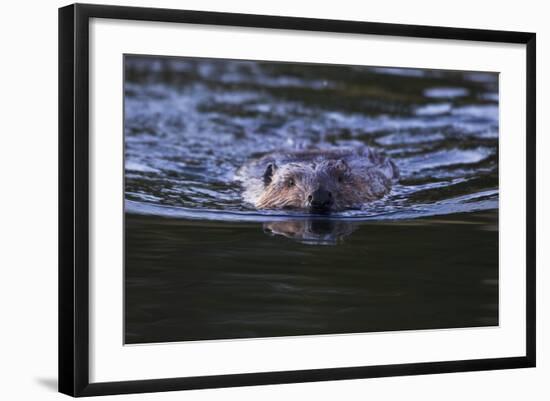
[{"x": 190, "y": 124}]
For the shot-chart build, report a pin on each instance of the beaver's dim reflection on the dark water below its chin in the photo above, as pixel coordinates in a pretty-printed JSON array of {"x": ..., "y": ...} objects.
[{"x": 312, "y": 231}]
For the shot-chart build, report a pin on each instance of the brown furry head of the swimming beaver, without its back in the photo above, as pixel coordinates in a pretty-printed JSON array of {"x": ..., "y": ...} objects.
[{"x": 315, "y": 186}]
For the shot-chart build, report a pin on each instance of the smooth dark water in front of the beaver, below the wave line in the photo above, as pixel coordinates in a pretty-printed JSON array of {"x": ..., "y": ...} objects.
[{"x": 189, "y": 280}]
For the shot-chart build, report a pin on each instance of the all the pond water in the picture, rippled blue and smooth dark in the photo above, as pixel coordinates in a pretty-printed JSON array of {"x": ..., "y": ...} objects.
[{"x": 202, "y": 264}]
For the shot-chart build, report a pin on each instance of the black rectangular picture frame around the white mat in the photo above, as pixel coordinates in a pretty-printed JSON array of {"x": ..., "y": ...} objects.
[{"x": 74, "y": 195}]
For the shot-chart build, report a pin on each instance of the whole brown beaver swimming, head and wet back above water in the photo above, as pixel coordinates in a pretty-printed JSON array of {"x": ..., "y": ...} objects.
[{"x": 318, "y": 180}]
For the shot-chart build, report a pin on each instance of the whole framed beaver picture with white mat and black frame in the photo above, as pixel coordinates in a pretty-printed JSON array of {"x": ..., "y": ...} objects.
[{"x": 250, "y": 199}]
